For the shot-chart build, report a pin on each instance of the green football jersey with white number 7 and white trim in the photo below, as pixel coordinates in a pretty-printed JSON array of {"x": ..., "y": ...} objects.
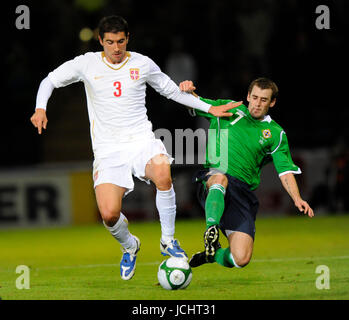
[{"x": 241, "y": 145}]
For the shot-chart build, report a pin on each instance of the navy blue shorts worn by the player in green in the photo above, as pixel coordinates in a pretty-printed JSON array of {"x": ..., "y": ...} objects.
[{"x": 241, "y": 204}]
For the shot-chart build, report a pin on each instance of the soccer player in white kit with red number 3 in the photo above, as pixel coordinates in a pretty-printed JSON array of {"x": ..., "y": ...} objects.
[{"x": 123, "y": 142}]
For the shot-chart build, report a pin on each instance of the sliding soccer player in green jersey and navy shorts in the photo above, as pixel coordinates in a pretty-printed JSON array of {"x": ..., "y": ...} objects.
[{"x": 238, "y": 147}]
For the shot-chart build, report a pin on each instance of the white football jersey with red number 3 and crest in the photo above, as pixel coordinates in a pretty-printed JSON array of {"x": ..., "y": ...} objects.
[{"x": 115, "y": 96}]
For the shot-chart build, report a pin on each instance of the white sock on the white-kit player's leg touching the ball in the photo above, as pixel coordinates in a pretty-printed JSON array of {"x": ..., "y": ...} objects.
[{"x": 166, "y": 205}]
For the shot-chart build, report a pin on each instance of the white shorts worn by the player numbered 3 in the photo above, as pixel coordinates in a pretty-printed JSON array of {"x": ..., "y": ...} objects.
[{"x": 119, "y": 167}]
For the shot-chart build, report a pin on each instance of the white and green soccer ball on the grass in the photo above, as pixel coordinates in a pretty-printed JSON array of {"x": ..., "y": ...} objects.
[{"x": 174, "y": 273}]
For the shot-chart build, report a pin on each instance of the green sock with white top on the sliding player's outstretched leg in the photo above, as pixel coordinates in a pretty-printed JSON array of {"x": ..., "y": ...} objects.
[{"x": 214, "y": 205}]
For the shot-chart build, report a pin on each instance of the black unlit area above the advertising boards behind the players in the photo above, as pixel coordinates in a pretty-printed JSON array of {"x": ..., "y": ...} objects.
[{"x": 307, "y": 64}]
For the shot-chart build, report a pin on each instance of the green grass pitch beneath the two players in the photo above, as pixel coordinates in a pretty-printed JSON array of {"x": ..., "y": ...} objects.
[{"x": 83, "y": 262}]
